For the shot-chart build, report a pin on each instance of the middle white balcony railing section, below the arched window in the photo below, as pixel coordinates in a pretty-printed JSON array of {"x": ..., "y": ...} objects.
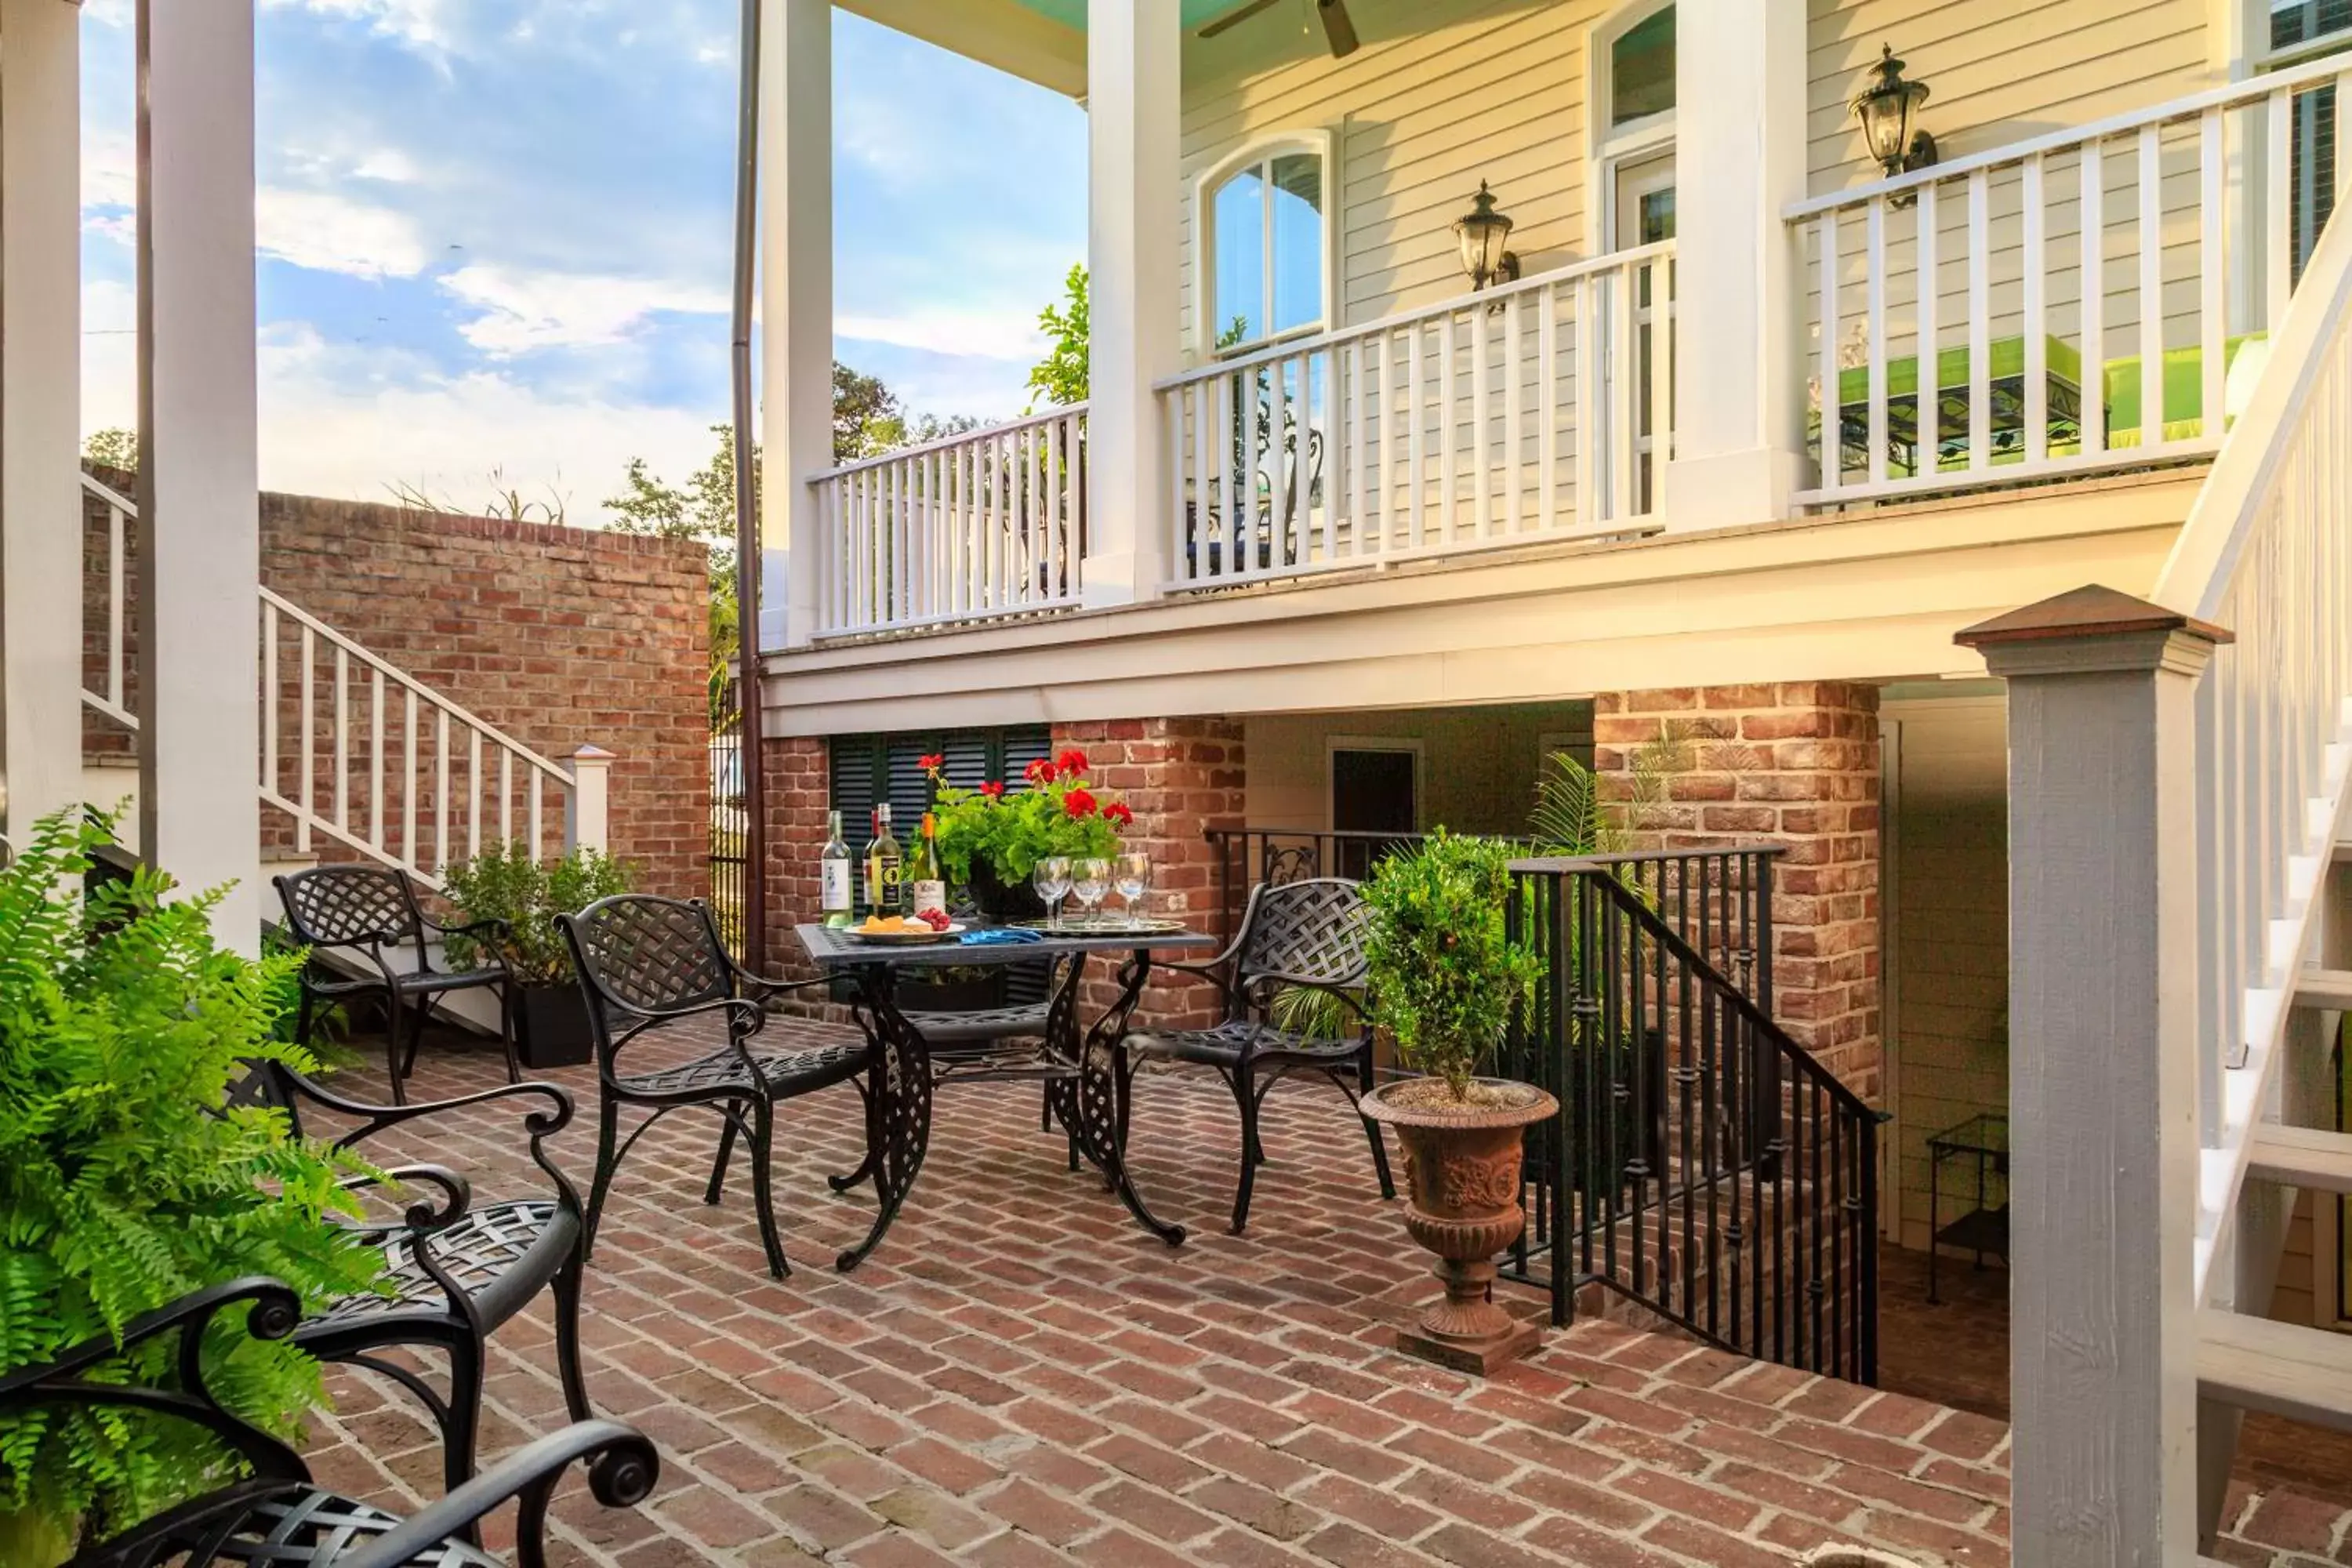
[{"x": 1506, "y": 417}]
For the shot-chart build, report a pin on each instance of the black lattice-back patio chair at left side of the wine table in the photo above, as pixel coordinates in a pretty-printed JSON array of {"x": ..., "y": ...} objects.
[{"x": 655, "y": 963}]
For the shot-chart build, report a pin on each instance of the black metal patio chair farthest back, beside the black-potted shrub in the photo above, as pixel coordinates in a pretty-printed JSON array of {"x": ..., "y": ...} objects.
[{"x": 373, "y": 911}]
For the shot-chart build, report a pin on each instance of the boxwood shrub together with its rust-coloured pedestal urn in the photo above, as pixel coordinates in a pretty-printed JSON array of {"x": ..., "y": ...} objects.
[{"x": 1443, "y": 979}]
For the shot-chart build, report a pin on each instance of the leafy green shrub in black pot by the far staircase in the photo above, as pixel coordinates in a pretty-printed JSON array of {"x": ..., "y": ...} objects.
[{"x": 514, "y": 885}]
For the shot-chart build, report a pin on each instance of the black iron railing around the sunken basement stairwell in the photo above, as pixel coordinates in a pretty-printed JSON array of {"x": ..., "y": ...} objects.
[{"x": 1704, "y": 1165}]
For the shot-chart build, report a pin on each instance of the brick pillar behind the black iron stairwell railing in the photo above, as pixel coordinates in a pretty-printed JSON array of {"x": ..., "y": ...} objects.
[{"x": 1796, "y": 763}]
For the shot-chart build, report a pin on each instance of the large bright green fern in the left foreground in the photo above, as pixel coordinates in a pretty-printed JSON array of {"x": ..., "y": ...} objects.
[{"x": 128, "y": 1181}]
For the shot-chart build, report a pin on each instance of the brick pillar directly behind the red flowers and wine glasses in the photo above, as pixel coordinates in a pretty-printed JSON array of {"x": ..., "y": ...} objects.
[{"x": 1180, "y": 777}]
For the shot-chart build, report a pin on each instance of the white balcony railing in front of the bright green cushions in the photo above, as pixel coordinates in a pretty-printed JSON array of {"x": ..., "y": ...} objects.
[{"x": 1977, "y": 269}]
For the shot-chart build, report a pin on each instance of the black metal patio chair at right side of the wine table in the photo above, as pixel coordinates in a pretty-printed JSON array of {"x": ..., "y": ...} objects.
[{"x": 1299, "y": 934}]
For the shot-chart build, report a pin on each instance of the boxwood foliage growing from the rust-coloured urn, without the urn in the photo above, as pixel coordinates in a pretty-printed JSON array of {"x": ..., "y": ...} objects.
[{"x": 1443, "y": 967}]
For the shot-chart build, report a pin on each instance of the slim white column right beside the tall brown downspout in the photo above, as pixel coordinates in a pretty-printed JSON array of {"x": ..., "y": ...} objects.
[{"x": 796, "y": 307}]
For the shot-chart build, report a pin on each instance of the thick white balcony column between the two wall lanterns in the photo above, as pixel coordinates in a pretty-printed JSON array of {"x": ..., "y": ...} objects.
[{"x": 1739, "y": 161}]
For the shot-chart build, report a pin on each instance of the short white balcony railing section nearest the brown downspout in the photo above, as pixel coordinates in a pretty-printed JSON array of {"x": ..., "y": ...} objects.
[{"x": 970, "y": 528}]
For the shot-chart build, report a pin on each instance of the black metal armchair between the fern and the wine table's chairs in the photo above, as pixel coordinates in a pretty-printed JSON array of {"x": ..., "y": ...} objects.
[{"x": 460, "y": 1271}]
